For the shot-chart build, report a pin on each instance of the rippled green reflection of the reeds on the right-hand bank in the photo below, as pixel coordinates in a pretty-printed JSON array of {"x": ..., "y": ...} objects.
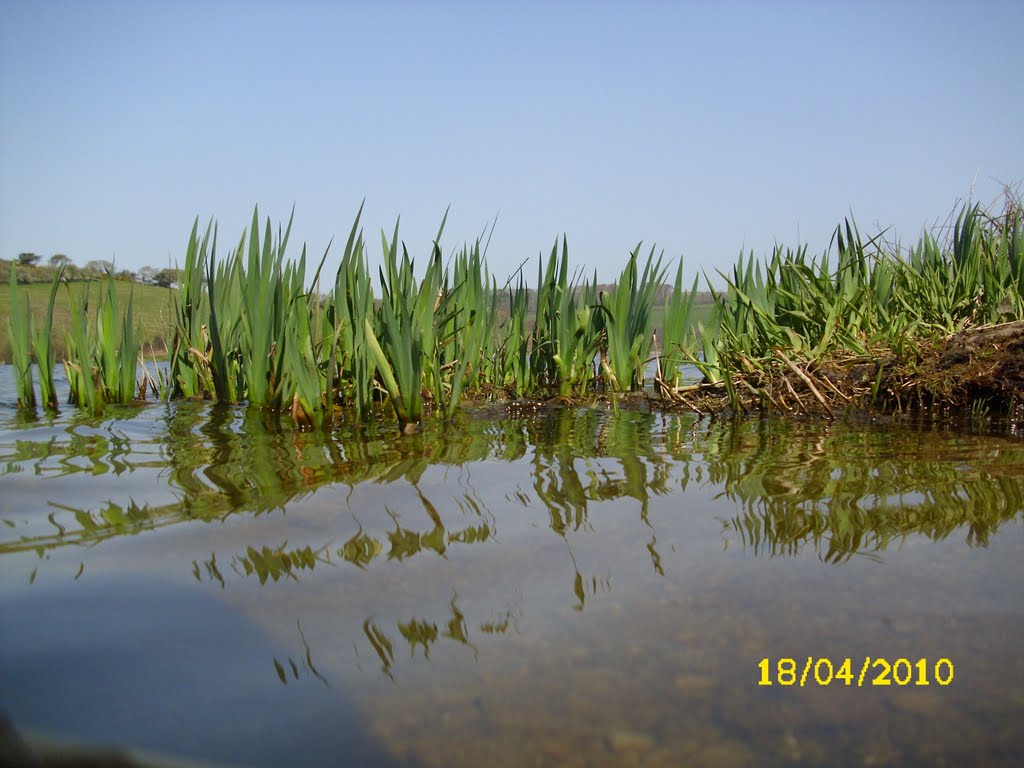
[{"x": 826, "y": 490}]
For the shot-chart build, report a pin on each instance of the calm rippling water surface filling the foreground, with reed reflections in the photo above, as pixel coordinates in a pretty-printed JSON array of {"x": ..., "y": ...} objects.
[{"x": 525, "y": 588}]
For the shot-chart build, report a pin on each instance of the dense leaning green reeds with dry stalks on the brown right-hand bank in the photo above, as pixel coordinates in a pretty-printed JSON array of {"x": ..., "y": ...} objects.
[{"x": 778, "y": 323}]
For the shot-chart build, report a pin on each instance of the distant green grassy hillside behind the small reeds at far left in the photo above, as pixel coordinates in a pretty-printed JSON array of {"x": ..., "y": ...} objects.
[{"x": 152, "y": 308}]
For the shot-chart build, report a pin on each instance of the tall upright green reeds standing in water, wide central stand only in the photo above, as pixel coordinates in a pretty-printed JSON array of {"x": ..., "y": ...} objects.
[{"x": 246, "y": 330}]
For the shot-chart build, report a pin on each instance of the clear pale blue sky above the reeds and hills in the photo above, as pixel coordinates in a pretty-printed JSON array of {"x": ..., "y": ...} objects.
[{"x": 705, "y": 127}]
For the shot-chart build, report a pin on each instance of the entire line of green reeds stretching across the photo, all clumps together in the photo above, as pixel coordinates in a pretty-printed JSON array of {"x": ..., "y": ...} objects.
[{"x": 248, "y": 330}]
